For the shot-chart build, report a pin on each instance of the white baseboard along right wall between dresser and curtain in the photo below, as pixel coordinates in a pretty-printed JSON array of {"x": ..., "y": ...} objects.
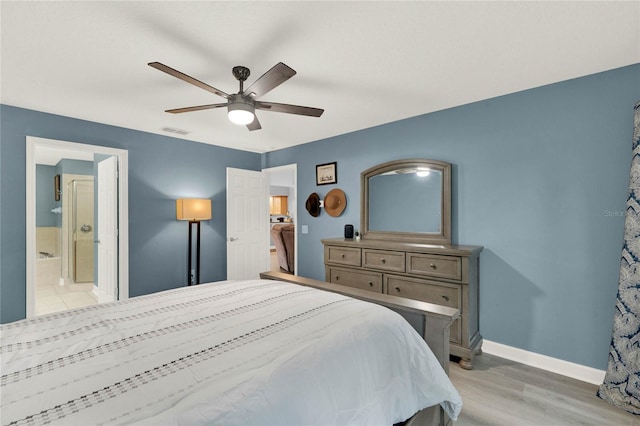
[{"x": 554, "y": 365}]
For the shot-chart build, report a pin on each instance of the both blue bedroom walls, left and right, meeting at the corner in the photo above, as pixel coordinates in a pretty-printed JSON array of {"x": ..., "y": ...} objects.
[{"x": 539, "y": 179}]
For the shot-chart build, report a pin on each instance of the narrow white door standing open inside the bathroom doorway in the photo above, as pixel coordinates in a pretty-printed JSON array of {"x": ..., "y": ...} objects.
[{"x": 107, "y": 230}]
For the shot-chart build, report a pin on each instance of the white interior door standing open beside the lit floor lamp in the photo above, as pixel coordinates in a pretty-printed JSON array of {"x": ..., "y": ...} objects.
[{"x": 247, "y": 223}]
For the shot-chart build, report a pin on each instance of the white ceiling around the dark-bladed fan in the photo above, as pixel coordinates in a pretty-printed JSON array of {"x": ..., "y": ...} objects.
[{"x": 365, "y": 63}]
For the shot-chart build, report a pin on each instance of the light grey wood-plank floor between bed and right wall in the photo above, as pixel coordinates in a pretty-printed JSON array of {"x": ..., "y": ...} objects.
[{"x": 502, "y": 392}]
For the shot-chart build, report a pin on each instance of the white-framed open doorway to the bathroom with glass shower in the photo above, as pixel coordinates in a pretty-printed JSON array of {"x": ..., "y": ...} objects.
[{"x": 62, "y": 251}]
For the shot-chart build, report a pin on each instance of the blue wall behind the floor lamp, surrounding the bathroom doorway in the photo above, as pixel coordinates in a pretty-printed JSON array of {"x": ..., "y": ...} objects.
[{"x": 161, "y": 169}]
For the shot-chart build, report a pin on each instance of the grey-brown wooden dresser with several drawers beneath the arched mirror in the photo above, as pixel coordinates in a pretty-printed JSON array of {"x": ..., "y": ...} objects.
[{"x": 446, "y": 275}]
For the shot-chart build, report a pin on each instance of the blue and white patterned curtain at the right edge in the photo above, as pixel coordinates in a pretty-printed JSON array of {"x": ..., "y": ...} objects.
[{"x": 621, "y": 385}]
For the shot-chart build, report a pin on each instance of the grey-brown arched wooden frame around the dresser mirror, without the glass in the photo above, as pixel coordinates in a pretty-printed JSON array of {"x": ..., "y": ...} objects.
[{"x": 443, "y": 237}]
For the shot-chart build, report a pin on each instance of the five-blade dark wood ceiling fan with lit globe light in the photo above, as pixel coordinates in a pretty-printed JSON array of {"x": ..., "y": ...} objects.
[{"x": 241, "y": 106}]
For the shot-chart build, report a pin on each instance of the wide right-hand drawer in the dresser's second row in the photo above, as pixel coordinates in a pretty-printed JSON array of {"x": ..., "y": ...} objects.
[{"x": 427, "y": 291}]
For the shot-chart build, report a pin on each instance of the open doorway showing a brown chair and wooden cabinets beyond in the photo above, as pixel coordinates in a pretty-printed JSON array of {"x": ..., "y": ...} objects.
[{"x": 283, "y": 215}]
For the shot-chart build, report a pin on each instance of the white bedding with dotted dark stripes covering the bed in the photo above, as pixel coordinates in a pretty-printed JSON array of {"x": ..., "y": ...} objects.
[{"x": 255, "y": 352}]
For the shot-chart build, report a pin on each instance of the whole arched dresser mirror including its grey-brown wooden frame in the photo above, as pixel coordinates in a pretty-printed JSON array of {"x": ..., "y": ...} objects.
[{"x": 407, "y": 200}]
